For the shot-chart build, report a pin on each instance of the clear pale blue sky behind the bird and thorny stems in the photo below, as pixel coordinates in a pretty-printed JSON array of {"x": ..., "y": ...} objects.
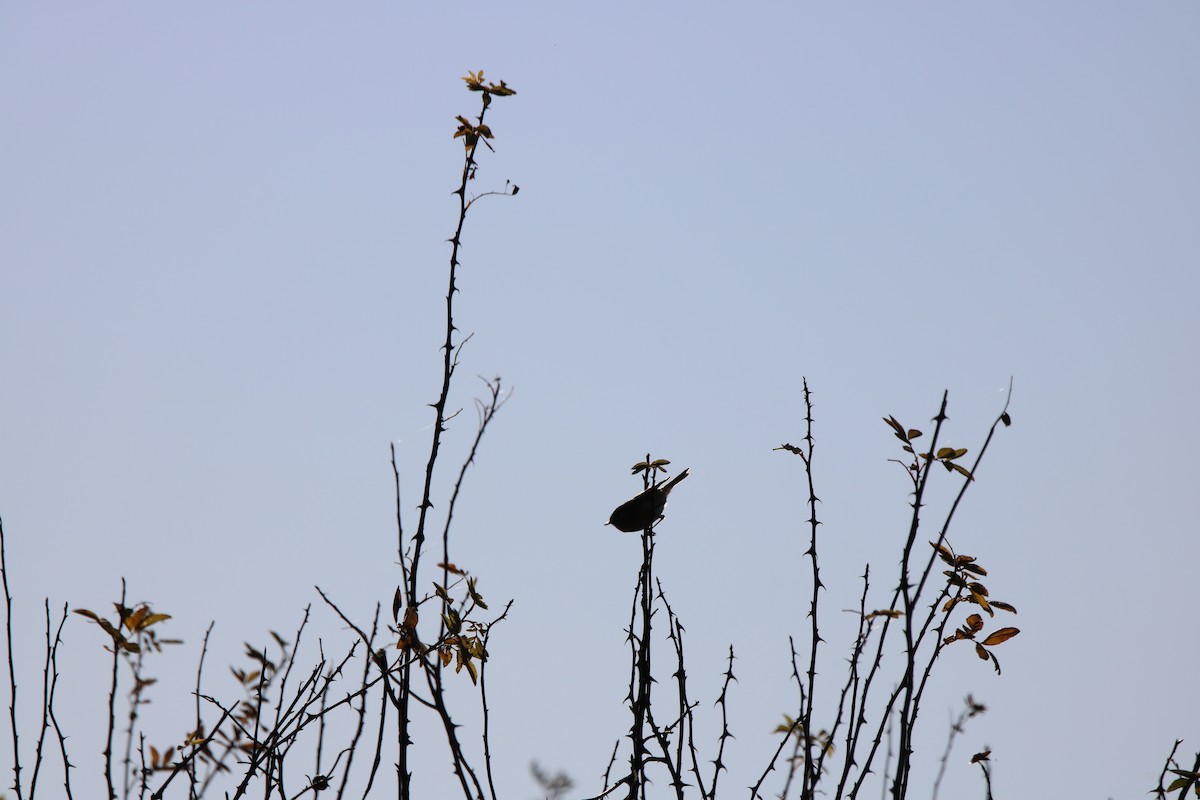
[{"x": 223, "y": 250}]
